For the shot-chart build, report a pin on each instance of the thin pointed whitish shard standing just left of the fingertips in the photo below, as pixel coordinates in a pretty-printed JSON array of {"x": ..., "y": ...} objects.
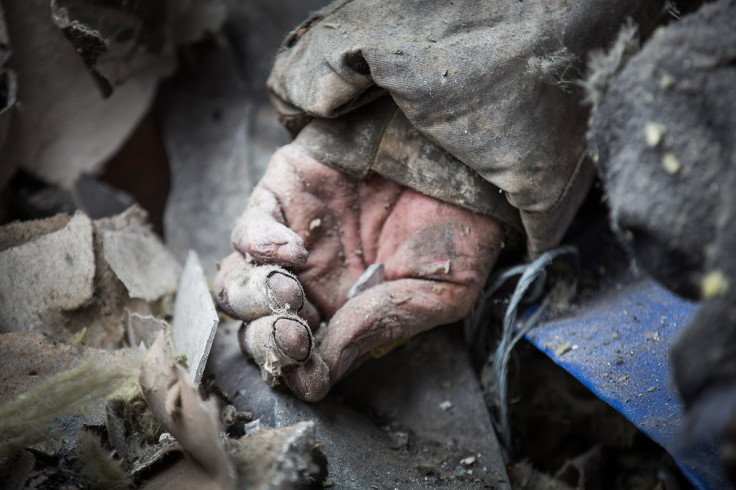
[{"x": 195, "y": 318}]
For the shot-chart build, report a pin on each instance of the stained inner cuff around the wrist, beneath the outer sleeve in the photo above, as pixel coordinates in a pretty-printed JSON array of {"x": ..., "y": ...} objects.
[{"x": 378, "y": 138}]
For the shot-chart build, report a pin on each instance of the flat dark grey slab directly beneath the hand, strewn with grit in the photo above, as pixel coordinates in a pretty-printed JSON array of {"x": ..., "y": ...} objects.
[{"x": 382, "y": 425}]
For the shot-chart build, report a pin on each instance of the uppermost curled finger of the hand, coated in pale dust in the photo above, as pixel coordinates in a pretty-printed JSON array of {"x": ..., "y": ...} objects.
[{"x": 262, "y": 233}]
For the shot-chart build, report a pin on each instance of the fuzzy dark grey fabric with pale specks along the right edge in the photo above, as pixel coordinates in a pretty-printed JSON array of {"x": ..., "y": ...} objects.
[{"x": 678, "y": 220}]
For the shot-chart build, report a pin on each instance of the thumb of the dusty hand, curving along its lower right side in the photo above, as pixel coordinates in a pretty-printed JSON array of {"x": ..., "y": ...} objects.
[{"x": 389, "y": 314}]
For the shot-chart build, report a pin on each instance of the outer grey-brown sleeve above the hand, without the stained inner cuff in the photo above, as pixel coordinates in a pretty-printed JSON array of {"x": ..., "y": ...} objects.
[{"x": 490, "y": 82}]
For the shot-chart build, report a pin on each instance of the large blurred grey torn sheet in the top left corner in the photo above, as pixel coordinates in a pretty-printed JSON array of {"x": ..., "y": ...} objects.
[{"x": 84, "y": 73}]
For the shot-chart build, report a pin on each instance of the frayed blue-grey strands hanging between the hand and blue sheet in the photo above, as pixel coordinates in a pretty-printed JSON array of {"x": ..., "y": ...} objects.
[{"x": 529, "y": 288}]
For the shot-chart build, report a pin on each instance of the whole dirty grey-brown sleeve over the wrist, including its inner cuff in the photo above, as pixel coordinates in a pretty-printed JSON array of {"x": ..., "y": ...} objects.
[{"x": 485, "y": 85}]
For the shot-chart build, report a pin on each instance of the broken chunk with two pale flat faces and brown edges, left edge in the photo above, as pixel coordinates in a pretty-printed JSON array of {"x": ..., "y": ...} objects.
[{"x": 64, "y": 275}]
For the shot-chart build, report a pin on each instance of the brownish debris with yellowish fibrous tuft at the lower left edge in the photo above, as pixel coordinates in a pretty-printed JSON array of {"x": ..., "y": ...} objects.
[{"x": 72, "y": 380}]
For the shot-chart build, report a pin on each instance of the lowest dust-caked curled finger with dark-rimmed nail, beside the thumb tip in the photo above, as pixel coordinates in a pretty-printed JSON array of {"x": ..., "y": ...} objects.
[{"x": 275, "y": 343}]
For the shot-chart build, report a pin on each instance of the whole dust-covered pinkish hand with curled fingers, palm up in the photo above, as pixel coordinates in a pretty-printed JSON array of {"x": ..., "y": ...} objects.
[{"x": 328, "y": 227}]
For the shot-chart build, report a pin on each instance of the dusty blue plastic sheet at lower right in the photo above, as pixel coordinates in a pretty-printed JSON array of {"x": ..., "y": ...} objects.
[{"x": 615, "y": 342}]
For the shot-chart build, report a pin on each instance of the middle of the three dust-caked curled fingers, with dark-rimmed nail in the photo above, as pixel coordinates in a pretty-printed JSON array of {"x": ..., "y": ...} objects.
[{"x": 248, "y": 291}]
